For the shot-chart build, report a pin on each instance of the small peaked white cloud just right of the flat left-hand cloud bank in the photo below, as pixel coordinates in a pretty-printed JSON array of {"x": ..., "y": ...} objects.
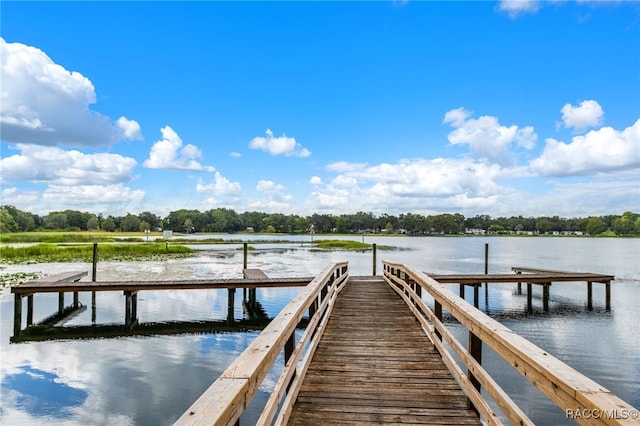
[{"x": 169, "y": 153}]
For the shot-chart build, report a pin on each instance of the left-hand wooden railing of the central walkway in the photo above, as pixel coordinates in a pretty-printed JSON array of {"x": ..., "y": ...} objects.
[{"x": 225, "y": 400}]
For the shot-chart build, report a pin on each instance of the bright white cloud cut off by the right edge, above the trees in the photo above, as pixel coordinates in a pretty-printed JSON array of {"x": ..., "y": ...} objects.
[{"x": 602, "y": 150}]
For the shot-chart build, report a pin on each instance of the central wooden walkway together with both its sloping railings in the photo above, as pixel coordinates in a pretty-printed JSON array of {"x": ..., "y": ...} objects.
[{"x": 374, "y": 353}]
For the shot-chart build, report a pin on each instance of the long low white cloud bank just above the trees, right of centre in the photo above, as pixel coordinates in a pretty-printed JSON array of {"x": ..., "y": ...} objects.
[{"x": 416, "y": 185}]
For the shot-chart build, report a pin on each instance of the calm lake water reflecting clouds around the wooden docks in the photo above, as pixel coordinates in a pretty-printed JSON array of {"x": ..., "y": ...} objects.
[{"x": 152, "y": 380}]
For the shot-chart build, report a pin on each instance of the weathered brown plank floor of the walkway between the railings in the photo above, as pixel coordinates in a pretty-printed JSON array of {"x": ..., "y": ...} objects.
[{"x": 374, "y": 364}]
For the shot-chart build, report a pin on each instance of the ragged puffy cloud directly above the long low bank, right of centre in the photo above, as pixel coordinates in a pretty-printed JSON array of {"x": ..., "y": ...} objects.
[{"x": 486, "y": 138}]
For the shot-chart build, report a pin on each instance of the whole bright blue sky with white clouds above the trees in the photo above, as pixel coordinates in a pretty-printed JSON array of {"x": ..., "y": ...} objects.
[{"x": 500, "y": 108}]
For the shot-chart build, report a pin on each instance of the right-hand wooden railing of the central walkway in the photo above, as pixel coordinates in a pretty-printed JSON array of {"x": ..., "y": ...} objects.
[{"x": 566, "y": 387}]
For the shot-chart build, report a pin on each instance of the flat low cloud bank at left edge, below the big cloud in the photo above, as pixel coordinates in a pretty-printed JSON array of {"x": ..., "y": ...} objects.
[{"x": 56, "y": 166}]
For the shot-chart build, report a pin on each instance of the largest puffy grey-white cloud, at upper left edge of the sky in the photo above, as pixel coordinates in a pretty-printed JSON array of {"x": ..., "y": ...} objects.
[{"x": 45, "y": 104}]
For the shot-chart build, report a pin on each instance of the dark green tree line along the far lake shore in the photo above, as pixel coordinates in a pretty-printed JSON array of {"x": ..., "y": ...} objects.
[{"x": 229, "y": 221}]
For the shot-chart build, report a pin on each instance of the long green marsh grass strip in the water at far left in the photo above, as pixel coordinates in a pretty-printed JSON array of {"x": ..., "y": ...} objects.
[{"x": 47, "y": 253}]
